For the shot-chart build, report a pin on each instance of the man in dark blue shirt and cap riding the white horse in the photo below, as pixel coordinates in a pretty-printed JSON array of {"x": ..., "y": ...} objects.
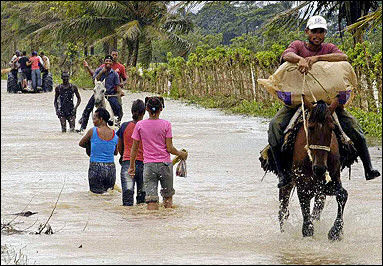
[{"x": 112, "y": 81}]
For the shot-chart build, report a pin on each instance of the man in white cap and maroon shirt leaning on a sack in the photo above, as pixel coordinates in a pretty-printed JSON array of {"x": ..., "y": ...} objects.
[{"x": 305, "y": 54}]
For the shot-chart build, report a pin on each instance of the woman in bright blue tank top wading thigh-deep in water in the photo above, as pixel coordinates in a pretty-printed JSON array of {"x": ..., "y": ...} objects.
[{"x": 103, "y": 147}]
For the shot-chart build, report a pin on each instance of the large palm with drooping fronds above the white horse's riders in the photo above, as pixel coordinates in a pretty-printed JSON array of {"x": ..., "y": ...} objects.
[{"x": 135, "y": 22}]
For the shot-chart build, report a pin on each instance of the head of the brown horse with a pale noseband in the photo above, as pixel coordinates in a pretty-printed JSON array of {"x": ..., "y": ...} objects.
[{"x": 320, "y": 126}]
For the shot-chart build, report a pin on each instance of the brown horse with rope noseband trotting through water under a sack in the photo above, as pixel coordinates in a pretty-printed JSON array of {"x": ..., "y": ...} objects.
[{"x": 315, "y": 159}]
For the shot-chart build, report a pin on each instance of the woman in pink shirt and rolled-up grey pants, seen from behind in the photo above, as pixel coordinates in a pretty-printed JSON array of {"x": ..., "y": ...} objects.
[{"x": 156, "y": 137}]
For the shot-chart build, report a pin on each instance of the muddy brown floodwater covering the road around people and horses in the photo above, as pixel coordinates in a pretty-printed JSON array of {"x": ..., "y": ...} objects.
[{"x": 223, "y": 213}]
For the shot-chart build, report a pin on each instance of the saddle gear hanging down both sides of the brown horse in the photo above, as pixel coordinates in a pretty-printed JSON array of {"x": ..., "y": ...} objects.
[{"x": 348, "y": 153}]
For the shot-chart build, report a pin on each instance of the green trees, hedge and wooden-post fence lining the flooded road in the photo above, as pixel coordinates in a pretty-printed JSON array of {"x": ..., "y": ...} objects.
[{"x": 212, "y": 57}]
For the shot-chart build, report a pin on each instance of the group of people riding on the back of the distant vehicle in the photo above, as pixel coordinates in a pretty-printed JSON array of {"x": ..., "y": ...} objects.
[{"x": 28, "y": 69}]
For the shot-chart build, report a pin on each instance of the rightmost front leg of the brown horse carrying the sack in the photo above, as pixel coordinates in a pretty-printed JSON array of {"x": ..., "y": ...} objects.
[{"x": 336, "y": 231}]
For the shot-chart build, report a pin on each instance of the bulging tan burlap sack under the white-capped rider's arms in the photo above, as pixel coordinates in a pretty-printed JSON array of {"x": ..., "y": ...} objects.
[{"x": 325, "y": 80}]
